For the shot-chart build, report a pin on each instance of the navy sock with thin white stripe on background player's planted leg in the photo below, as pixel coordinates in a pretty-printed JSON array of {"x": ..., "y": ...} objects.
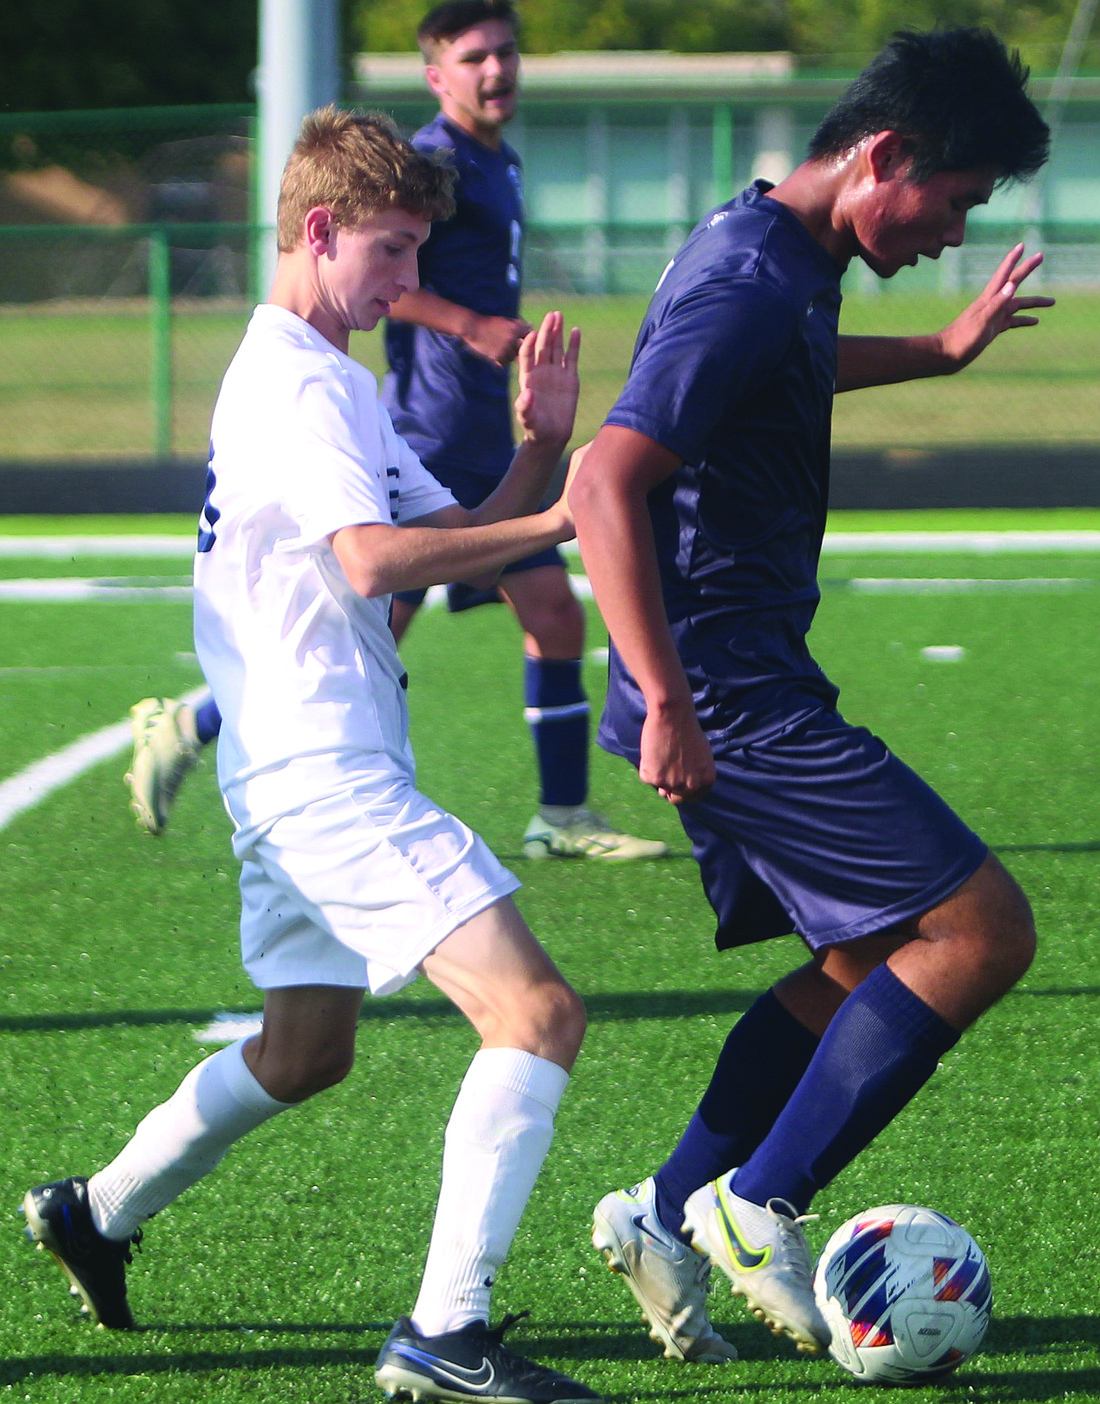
[{"x": 558, "y": 714}]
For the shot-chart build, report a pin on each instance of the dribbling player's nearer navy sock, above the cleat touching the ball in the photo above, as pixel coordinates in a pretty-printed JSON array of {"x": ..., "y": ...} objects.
[{"x": 880, "y": 1049}]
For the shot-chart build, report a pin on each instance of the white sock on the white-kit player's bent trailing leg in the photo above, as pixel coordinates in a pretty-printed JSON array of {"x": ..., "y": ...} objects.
[{"x": 181, "y": 1142}]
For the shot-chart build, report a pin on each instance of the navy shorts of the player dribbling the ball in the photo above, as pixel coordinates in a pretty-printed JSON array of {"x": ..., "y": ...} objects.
[{"x": 823, "y": 830}]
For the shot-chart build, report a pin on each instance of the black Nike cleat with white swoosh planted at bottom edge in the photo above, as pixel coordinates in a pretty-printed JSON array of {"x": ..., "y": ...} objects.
[{"x": 473, "y": 1364}]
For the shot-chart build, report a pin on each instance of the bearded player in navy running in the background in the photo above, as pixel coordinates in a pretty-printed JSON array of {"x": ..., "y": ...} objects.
[{"x": 450, "y": 345}]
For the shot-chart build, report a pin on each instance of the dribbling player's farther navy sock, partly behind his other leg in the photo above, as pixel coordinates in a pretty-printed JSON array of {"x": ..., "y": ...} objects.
[{"x": 765, "y": 1057}]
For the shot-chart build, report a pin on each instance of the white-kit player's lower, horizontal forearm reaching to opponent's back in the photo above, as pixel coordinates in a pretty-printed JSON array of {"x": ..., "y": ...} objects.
[{"x": 380, "y": 561}]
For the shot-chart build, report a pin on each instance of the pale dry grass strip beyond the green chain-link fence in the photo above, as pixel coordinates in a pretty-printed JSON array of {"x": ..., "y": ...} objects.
[{"x": 78, "y": 384}]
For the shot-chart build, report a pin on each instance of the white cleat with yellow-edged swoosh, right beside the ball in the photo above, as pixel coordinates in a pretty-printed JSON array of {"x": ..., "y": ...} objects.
[{"x": 765, "y": 1254}]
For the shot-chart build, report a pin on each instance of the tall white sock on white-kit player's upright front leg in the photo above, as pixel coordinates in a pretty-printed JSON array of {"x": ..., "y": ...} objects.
[{"x": 497, "y": 1141}]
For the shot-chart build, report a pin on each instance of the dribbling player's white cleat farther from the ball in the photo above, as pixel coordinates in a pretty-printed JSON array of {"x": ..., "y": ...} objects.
[{"x": 668, "y": 1278}]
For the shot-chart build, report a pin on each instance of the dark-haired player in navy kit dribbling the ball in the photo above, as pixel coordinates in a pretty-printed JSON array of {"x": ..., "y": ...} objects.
[{"x": 700, "y": 513}]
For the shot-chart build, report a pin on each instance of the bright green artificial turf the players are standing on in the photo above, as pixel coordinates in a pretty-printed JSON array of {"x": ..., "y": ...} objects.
[{"x": 279, "y": 1277}]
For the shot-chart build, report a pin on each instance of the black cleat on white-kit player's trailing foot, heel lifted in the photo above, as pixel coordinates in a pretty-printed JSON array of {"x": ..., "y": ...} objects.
[{"x": 58, "y": 1218}]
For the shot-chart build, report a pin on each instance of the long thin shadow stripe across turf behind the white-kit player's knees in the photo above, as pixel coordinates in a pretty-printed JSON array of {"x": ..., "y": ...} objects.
[{"x": 660, "y": 1005}]
